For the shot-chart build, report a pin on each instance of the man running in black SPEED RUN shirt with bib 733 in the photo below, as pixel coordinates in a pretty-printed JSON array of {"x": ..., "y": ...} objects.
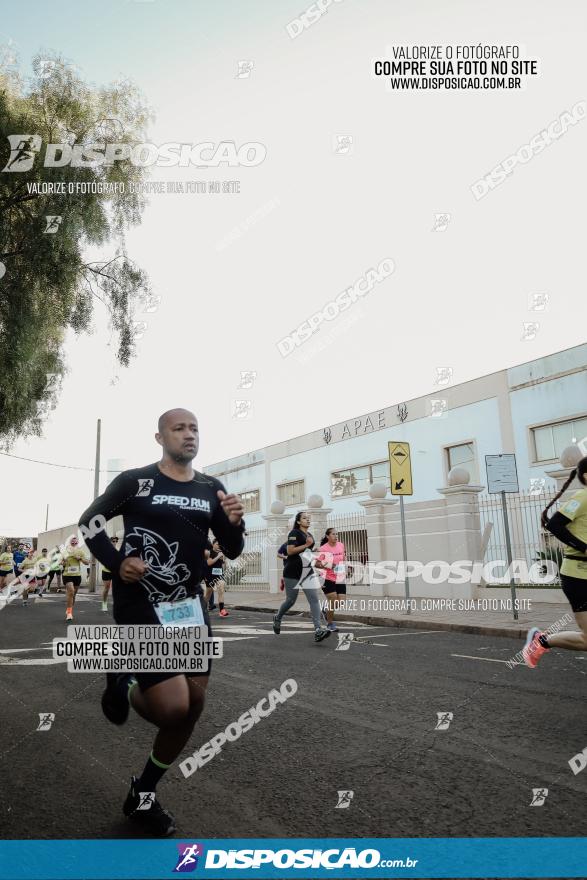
[{"x": 168, "y": 509}]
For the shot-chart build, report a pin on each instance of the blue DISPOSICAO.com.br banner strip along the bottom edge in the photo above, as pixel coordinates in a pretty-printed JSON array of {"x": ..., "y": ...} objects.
[{"x": 500, "y": 857}]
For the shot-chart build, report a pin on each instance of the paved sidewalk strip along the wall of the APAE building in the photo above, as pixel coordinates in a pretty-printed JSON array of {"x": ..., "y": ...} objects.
[{"x": 475, "y": 620}]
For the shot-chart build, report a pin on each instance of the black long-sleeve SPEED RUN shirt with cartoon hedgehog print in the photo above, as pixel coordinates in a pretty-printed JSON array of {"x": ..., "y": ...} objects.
[{"x": 166, "y": 524}]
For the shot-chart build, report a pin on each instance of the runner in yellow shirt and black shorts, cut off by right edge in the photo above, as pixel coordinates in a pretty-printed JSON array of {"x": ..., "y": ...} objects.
[{"x": 569, "y": 525}]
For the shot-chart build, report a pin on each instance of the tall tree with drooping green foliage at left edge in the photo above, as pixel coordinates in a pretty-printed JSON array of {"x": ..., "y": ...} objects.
[{"x": 47, "y": 284}]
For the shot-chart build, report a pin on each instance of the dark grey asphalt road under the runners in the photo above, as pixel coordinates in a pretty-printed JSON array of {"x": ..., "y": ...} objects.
[{"x": 362, "y": 720}]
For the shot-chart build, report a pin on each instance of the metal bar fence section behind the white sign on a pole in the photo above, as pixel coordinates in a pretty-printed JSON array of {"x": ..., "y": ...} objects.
[{"x": 528, "y": 538}]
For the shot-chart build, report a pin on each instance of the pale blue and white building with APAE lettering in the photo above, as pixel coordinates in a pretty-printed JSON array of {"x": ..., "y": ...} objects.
[{"x": 535, "y": 410}]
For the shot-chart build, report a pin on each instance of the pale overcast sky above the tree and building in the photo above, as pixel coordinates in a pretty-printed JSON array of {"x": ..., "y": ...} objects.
[{"x": 458, "y": 297}]
